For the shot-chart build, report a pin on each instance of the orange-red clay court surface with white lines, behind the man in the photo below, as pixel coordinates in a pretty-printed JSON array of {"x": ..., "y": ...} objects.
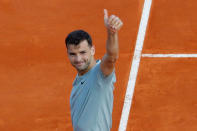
[{"x": 36, "y": 76}]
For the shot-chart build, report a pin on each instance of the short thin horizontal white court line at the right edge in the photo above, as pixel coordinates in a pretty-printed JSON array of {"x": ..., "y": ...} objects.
[{"x": 171, "y": 55}]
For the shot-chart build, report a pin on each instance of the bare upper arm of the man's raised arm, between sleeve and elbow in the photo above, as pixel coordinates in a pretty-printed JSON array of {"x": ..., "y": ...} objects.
[{"x": 107, "y": 65}]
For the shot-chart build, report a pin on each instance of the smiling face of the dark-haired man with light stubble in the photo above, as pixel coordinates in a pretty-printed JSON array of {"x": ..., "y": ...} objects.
[{"x": 80, "y": 55}]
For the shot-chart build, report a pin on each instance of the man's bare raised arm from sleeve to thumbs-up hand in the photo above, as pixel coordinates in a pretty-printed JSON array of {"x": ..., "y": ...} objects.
[{"x": 113, "y": 25}]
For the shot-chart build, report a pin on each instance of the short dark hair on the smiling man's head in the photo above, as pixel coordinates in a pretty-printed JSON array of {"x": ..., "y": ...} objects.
[{"x": 78, "y": 36}]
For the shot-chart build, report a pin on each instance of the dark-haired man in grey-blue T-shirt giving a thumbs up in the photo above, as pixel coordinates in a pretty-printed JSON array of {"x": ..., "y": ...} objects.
[{"x": 91, "y": 99}]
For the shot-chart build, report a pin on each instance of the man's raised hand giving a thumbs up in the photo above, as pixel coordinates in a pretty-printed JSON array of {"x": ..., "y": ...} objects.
[{"x": 112, "y": 23}]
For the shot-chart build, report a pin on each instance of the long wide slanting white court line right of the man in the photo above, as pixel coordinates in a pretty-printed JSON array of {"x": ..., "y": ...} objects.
[{"x": 135, "y": 65}]
